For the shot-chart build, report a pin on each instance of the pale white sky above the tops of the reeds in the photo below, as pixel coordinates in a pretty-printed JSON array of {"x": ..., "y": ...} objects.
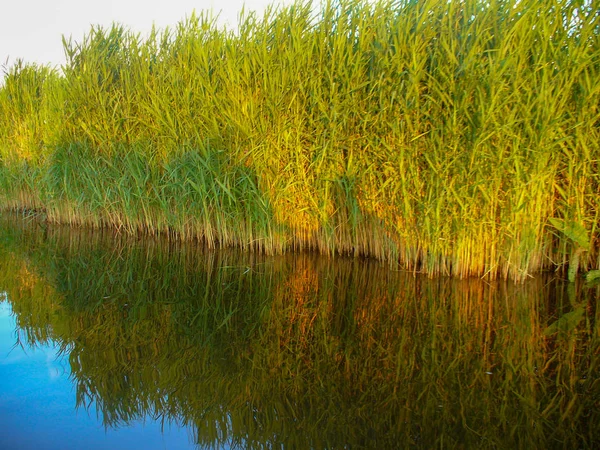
[{"x": 32, "y": 30}]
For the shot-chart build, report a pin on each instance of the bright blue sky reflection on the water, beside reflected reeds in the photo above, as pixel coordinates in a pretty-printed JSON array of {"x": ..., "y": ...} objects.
[{"x": 37, "y": 403}]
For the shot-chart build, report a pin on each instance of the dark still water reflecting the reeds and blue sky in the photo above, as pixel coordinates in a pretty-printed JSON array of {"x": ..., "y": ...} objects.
[{"x": 113, "y": 342}]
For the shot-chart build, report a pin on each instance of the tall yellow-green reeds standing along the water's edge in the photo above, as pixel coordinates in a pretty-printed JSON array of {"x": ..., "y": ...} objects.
[{"x": 439, "y": 135}]
